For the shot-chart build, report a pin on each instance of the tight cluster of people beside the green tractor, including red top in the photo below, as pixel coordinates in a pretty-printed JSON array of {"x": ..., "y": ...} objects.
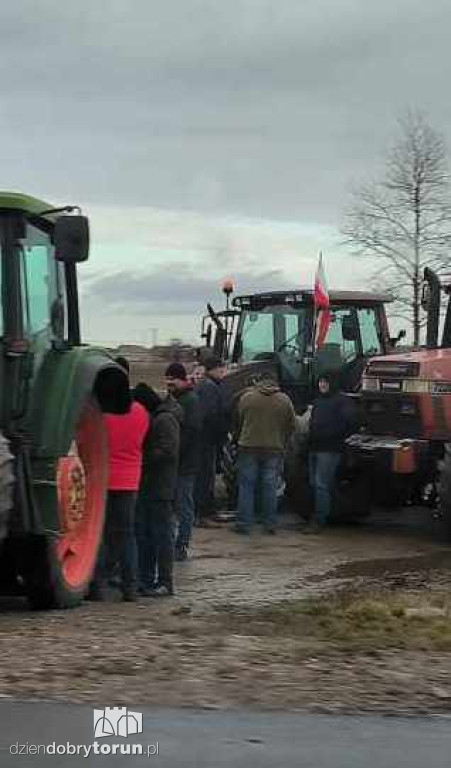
[{"x": 162, "y": 467}]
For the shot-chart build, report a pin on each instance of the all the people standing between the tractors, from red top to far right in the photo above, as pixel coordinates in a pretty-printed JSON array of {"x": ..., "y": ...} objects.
[{"x": 164, "y": 455}]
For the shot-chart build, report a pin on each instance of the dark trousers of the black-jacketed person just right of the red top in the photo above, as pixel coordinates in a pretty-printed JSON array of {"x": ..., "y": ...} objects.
[{"x": 155, "y": 535}]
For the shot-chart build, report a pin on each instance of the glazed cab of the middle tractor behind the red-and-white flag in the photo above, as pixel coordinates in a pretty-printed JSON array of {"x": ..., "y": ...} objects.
[{"x": 277, "y": 329}]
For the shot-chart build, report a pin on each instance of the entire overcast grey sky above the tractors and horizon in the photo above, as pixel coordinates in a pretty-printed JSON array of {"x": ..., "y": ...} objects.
[{"x": 208, "y": 138}]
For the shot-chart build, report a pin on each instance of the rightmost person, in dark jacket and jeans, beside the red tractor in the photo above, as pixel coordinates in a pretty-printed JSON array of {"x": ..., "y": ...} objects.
[{"x": 332, "y": 421}]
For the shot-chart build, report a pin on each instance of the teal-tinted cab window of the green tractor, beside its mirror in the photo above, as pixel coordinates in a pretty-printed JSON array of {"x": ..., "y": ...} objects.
[{"x": 39, "y": 283}]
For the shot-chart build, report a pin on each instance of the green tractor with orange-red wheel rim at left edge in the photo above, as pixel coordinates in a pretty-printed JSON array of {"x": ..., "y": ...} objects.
[{"x": 54, "y": 390}]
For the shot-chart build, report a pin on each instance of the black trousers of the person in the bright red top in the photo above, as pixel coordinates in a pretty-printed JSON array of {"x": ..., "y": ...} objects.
[{"x": 119, "y": 543}]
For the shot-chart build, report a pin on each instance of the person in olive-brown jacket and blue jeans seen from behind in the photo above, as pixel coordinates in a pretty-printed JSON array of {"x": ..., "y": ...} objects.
[{"x": 266, "y": 420}]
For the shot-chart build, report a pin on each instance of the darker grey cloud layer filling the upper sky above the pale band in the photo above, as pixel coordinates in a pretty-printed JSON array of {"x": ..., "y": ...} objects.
[{"x": 248, "y": 107}]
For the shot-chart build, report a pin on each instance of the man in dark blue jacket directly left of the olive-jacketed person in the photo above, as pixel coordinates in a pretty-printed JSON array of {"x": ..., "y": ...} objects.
[{"x": 213, "y": 435}]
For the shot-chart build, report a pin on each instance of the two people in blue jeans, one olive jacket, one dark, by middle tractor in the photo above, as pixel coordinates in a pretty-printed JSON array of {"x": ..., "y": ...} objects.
[{"x": 266, "y": 422}]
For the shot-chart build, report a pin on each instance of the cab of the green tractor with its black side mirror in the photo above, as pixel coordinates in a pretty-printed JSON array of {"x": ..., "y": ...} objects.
[{"x": 40, "y": 247}]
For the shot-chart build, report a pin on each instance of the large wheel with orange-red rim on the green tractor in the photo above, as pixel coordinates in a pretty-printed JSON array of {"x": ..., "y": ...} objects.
[{"x": 60, "y": 565}]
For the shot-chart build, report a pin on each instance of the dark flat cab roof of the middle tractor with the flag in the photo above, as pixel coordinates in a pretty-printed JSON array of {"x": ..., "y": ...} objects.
[{"x": 304, "y": 296}]
